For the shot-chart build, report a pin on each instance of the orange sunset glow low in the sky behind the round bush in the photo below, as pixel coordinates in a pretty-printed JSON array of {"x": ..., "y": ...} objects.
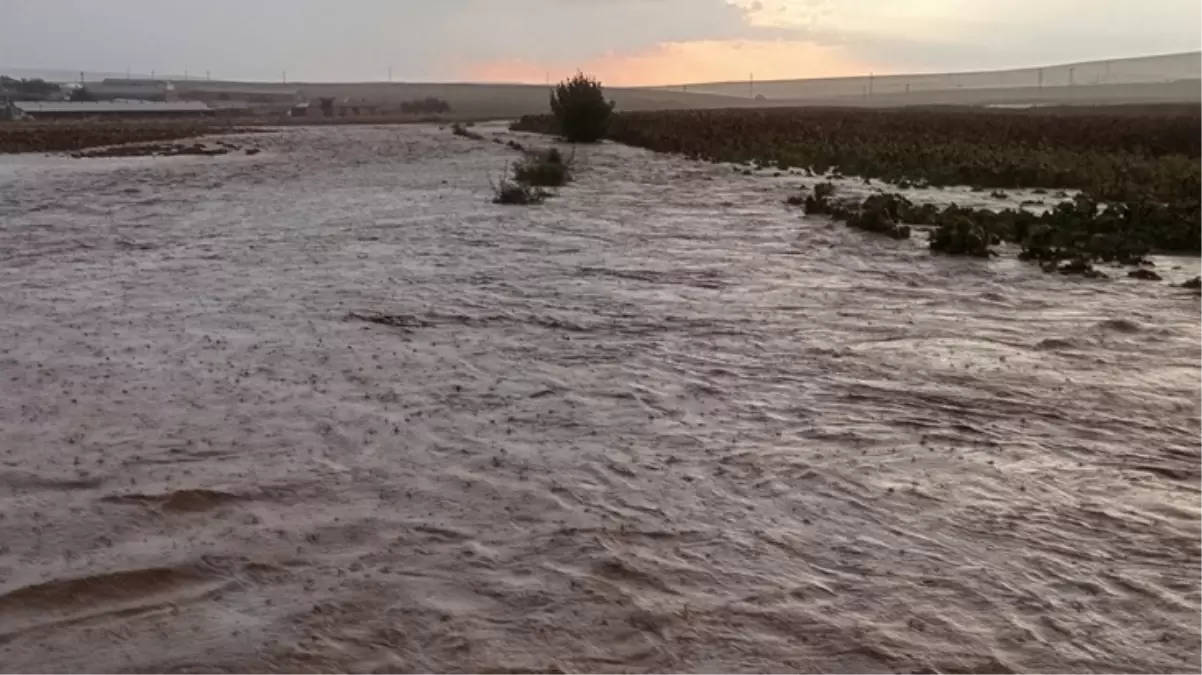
[{"x": 683, "y": 63}]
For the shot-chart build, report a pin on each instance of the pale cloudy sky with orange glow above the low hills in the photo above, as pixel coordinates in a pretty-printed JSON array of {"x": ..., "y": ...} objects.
[{"x": 624, "y": 43}]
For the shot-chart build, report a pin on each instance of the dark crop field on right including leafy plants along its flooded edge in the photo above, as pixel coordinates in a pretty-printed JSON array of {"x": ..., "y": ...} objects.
[{"x": 1138, "y": 172}]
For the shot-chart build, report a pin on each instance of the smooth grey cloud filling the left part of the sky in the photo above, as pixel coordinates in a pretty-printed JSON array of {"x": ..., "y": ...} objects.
[{"x": 318, "y": 39}]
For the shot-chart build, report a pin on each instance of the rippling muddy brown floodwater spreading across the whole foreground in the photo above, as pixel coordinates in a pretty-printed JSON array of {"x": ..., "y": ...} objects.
[{"x": 329, "y": 410}]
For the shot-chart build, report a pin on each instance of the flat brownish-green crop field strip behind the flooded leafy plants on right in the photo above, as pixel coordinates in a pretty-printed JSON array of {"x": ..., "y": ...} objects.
[{"x": 1127, "y": 154}]
